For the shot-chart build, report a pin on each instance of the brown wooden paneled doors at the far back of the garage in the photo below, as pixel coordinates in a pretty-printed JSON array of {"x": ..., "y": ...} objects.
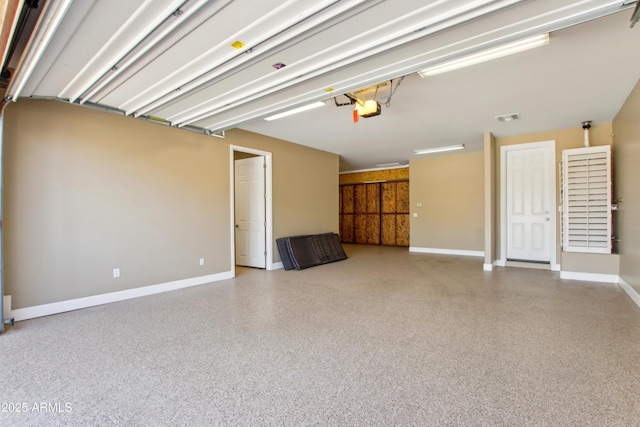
[{"x": 375, "y": 213}]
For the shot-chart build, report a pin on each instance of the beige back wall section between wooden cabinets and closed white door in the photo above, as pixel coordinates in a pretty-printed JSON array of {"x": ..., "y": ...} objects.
[{"x": 450, "y": 189}]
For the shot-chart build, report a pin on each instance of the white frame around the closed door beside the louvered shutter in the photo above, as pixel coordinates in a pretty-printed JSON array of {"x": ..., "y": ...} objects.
[{"x": 551, "y": 147}]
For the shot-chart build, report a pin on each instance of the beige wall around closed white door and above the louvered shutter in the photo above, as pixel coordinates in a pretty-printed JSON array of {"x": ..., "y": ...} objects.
[{"x": 600, "y": 134}]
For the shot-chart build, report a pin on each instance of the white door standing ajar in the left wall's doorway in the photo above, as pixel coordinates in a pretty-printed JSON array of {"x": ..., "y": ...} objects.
[{"x": 250, "y": 212}]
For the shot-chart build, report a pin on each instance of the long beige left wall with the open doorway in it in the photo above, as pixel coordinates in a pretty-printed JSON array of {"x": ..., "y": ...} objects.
[{"x": 86, "y": 192}]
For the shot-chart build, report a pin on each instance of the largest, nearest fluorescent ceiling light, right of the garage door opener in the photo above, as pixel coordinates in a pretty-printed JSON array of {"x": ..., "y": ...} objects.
[{"x": 487, "y": 55}]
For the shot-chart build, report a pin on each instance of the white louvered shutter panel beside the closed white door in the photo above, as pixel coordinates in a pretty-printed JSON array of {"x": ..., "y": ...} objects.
[{"x": 586, "y": 201}]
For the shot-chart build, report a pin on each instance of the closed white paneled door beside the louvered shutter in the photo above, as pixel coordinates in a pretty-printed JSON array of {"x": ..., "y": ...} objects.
[{"x": 529, "y": 204}]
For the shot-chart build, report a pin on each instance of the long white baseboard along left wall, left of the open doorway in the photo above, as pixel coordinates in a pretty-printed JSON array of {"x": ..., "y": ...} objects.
[{"x": 78, "y": 303}]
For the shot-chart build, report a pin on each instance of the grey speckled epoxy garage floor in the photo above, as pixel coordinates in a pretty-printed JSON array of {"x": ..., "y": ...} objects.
[{"x": 383, "y": 338}]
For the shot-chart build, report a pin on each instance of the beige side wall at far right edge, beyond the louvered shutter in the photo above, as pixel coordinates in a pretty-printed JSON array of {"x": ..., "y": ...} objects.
[{"x": 626, "y": 170}]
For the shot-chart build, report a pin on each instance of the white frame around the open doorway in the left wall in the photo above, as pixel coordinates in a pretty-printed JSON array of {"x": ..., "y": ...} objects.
[{"x": 268, "y": 203}]
